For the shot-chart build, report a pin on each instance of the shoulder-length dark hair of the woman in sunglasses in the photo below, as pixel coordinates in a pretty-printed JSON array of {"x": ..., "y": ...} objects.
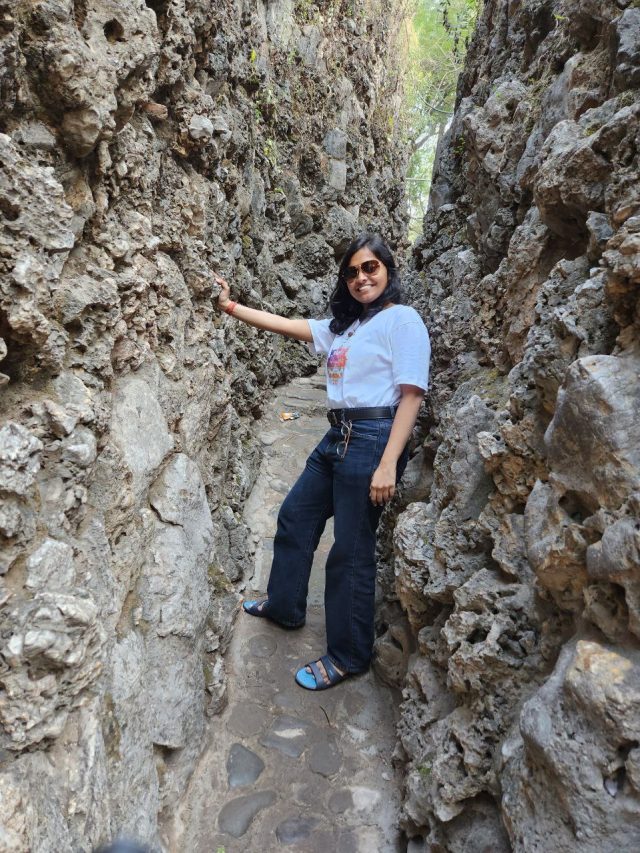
[{"x": 344, "y": 307}]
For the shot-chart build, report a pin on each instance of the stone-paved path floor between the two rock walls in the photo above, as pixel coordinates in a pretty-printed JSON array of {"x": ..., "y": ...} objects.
[{"x": 285, "y": 767}]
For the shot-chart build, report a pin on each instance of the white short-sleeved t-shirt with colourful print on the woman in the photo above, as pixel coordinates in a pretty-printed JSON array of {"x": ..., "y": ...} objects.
[{"x": 369, "y": 361}]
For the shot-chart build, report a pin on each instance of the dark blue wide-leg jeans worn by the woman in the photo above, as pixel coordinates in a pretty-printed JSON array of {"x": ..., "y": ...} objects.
[{"x": 333, "y": 486}]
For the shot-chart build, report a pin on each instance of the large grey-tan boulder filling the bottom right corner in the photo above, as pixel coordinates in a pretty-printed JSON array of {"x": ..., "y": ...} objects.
[{"x": 581, "y": 727}]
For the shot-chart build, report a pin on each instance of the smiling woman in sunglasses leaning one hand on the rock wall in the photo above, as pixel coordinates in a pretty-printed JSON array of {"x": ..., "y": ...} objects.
[{"x": 377, "y": 372}]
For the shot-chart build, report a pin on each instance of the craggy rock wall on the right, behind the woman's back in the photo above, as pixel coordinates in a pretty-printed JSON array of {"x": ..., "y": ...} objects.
[{"x": 518, "y": 563}]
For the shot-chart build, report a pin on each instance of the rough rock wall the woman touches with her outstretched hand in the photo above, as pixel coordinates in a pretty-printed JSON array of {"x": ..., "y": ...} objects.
[{"x": 145, "y": 145}]
